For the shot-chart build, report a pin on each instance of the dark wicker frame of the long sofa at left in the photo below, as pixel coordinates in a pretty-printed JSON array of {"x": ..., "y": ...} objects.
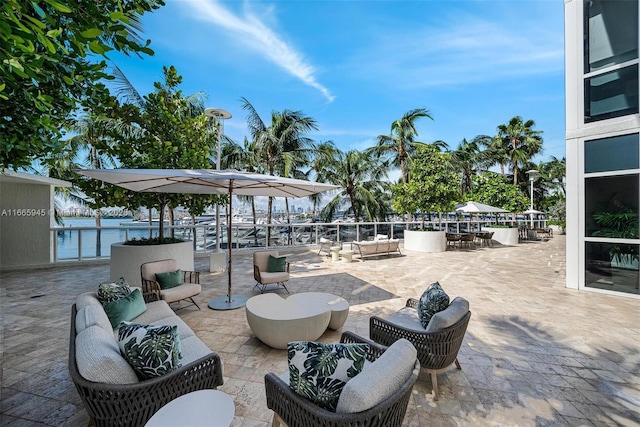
[{"x": 132, "y": 405}]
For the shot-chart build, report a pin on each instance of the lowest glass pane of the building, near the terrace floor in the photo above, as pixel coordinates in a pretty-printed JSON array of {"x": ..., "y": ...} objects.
[{"x": 612, "y": 266}]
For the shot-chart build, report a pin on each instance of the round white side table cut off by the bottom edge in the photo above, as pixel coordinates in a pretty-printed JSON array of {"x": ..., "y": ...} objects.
[{"x": 198, "y": 408}]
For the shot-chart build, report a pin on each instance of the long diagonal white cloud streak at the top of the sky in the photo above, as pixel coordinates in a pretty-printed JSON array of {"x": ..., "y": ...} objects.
[{"x": 251, "y": 30}]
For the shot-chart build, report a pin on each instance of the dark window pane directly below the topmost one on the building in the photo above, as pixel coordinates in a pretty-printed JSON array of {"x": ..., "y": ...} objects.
[{"x": 611, "y": 94}]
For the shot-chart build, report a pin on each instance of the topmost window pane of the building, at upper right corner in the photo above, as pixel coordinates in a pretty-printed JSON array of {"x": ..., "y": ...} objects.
[{"x": 611, "y": 33}]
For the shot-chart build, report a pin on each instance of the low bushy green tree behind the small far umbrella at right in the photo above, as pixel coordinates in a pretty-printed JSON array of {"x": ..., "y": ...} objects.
[{"x": 494, "y": 189}]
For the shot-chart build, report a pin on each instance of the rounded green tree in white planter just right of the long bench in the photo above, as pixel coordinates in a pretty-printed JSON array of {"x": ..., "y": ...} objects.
[{"x": 433, "y": 186}]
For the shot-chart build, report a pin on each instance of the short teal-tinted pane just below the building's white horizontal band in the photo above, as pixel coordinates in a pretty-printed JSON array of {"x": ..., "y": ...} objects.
[{"x": 611, "y": 154}]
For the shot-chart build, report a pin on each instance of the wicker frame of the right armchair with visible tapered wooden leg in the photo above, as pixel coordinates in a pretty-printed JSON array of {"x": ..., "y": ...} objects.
[{"x": 437, "y": 350}]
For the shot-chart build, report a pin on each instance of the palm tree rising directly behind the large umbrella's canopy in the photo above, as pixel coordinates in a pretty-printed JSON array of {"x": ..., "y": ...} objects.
[{"x": 282, "y": 145}]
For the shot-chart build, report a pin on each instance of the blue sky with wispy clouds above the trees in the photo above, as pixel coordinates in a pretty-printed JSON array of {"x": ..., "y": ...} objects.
[{"x": 356, "y": 66}]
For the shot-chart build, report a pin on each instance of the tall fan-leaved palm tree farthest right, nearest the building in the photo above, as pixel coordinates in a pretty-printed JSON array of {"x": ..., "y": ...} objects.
[{"x": 520, "y": 141}]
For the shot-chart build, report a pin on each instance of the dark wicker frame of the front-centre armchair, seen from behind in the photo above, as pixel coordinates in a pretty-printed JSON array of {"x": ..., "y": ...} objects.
[{"x": 294, "y": 410}]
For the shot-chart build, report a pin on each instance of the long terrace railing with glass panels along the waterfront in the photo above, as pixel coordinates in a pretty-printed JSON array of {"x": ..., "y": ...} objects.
[{"x": 83, "y": 243}]
